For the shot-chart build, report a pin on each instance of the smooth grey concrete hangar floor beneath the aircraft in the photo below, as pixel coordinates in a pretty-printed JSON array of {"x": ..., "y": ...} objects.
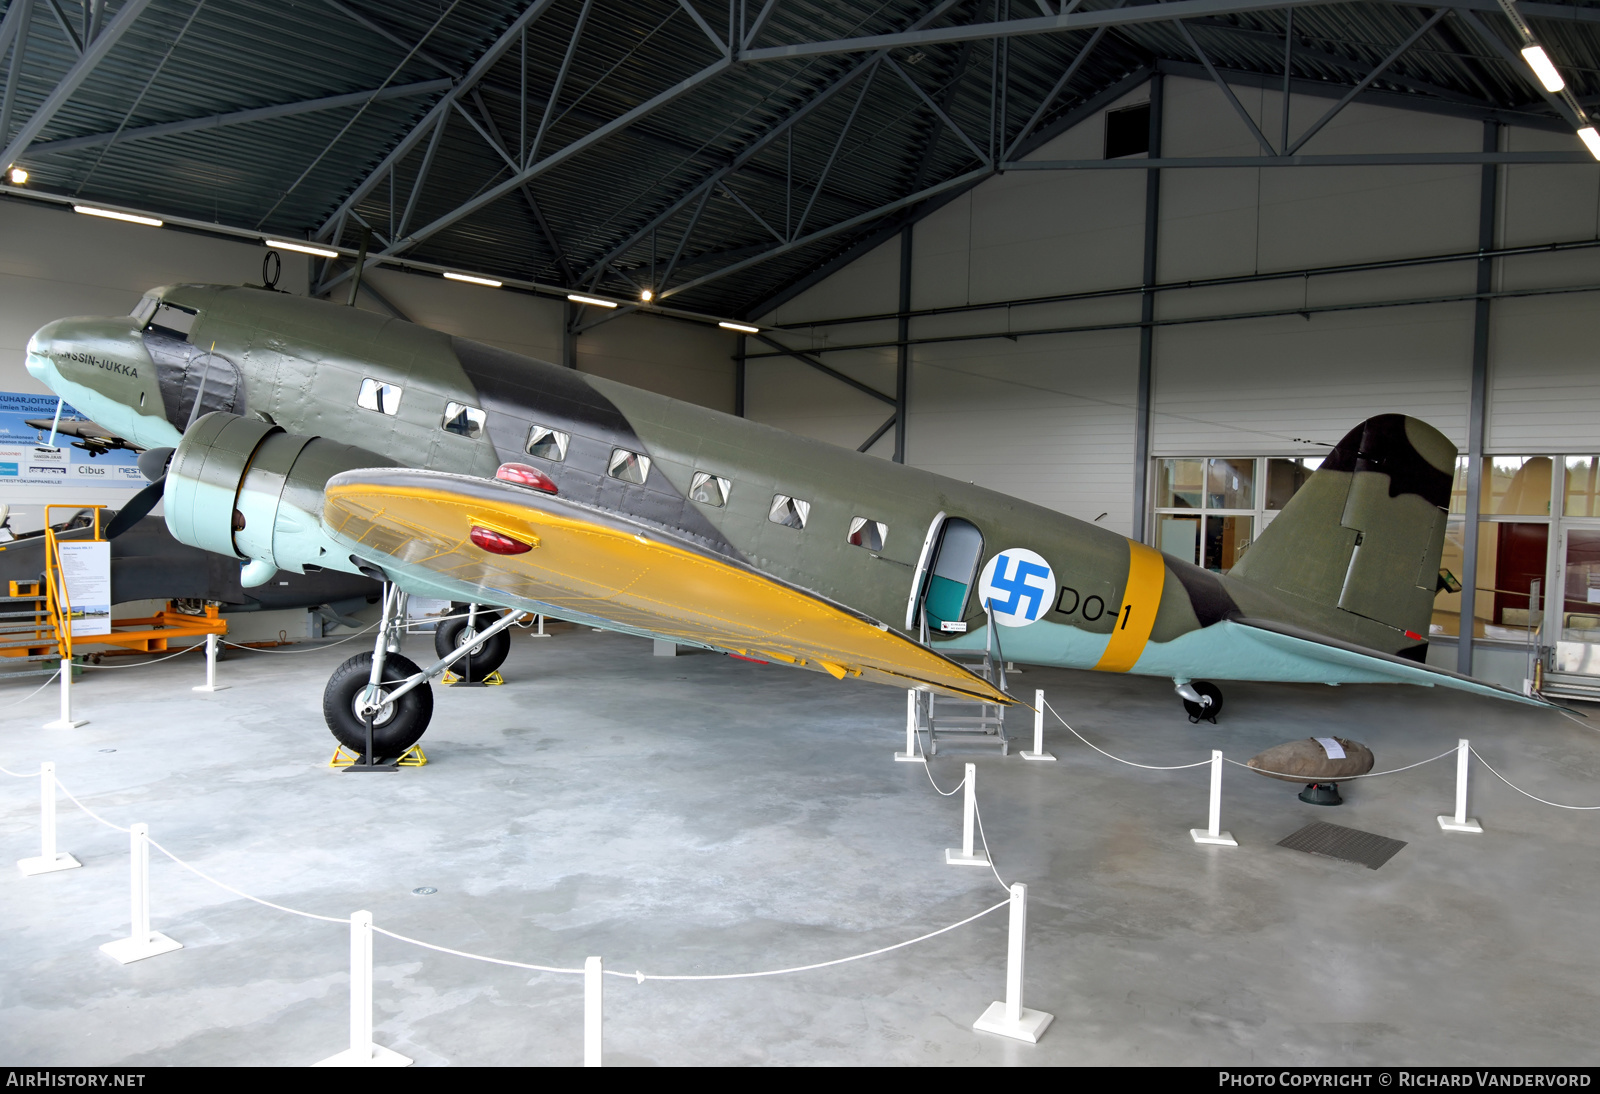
[{"x": 703, "y": 815}]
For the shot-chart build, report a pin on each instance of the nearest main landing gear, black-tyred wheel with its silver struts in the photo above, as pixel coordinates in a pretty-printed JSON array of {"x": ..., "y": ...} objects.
[{"x": 380, "y": 705}]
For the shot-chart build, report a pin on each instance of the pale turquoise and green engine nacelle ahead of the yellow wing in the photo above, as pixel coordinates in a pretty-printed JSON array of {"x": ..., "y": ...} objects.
[{"x": 246, "y": 489}]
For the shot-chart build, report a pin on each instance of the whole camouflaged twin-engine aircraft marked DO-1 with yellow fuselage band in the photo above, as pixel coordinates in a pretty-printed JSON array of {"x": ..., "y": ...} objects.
[{"x": 310, "y": 436}]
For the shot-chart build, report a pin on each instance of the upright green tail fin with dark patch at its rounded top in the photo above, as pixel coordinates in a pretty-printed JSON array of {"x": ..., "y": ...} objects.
[{"x": 1366, "y": 533}]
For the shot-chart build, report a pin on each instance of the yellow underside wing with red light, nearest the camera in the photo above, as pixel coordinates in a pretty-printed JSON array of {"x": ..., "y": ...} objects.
[{"x": 599, "y": 564}]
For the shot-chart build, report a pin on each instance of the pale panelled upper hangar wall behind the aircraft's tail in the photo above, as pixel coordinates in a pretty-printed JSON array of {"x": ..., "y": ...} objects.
[{"x": 1050, "y": 418}]
